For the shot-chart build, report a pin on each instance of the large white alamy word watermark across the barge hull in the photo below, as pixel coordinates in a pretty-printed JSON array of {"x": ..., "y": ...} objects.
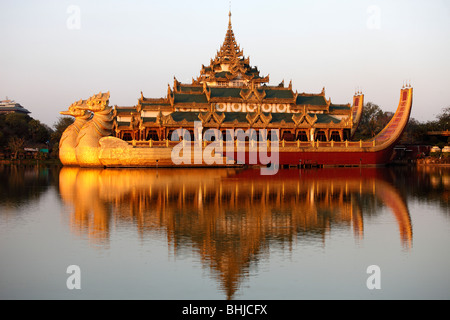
[{"x": 235, "y": 145}]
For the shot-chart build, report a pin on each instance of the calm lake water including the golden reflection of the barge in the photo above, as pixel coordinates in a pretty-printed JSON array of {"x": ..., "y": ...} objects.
[{"x": 225, "y": 233}]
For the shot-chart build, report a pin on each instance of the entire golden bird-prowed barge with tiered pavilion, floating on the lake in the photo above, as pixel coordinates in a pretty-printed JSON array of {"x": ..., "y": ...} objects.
[{"x": 228, "y": 95}]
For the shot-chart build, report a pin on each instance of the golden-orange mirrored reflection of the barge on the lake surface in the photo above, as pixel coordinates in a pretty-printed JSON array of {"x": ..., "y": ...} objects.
[{"x": 231, "y": 218}]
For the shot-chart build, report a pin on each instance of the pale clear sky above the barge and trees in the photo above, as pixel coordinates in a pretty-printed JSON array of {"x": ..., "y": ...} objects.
[{"x": 54, "y": 53}]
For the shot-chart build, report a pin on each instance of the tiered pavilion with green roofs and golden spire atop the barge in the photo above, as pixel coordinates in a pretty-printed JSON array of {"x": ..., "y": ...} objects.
[{"x": 231, "y": 94}]
